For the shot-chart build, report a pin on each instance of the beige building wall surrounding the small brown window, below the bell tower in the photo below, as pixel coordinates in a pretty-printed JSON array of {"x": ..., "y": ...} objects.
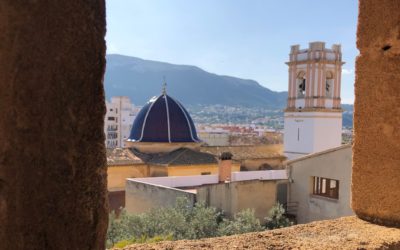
[{"x": 333, "y": 164}]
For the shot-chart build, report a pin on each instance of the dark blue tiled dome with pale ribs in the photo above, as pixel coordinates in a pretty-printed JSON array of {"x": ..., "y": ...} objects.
[{"x": 163, "y": 119}]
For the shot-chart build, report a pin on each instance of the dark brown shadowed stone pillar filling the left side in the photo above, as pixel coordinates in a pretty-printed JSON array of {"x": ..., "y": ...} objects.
[{"x": 52, "y": 155}]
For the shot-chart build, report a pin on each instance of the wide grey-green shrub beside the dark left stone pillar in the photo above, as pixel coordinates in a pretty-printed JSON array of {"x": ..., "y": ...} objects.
[{"x": 182, "y": 221}]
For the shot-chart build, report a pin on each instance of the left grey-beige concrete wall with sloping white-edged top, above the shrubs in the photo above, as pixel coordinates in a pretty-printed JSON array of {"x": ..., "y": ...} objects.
[{"x": 141, "y": 197}]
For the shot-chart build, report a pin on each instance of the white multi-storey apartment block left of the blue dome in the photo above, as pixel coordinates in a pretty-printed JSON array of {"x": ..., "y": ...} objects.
[{"x": 118, "y": 121}]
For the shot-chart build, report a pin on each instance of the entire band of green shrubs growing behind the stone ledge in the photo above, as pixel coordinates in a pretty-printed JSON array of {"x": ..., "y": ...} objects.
[{"x": 182, "y": 221}]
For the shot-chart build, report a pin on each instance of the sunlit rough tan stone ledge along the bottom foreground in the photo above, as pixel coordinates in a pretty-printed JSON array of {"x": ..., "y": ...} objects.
[{"x": 343, "y": 233}]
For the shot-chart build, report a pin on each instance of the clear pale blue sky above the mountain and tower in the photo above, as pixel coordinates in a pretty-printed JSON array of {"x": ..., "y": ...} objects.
[{"x": 249, "y": 39}]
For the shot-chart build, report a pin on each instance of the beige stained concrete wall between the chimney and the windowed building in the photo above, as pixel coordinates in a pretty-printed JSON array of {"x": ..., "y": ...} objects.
[{"x": 234, "y": 197}]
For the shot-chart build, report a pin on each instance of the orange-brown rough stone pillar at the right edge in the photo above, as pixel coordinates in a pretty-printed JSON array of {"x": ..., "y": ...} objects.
[{"x": 376, "y": 163}]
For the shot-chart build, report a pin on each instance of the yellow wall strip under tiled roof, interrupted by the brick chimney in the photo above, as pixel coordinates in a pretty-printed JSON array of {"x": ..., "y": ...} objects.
[{"x": 185, "y": 170}]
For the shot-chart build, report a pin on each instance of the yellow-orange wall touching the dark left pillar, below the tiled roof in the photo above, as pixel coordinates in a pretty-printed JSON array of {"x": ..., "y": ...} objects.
[{"x": 117, "y": 175}]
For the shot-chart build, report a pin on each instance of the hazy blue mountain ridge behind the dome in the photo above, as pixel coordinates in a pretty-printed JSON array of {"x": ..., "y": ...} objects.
[{"x": 141, "y": 79}]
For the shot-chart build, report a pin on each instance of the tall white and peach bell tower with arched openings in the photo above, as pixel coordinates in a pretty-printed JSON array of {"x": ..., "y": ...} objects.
[{"x": 313, "y": 116}]
